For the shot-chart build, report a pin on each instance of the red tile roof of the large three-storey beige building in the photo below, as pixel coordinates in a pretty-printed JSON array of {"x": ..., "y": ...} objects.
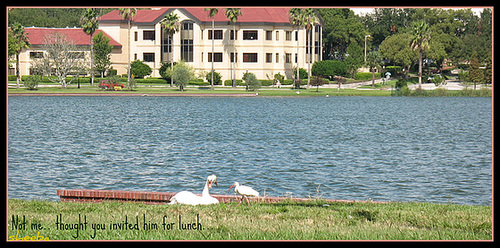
[{"x": 262, "y": 14}]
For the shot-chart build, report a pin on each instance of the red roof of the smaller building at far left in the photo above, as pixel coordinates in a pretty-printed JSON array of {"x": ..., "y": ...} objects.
[{"x": 37, "y": 35}]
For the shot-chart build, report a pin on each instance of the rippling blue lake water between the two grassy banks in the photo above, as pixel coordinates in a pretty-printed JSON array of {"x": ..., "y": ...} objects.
[{"x": 354, "y": 148}]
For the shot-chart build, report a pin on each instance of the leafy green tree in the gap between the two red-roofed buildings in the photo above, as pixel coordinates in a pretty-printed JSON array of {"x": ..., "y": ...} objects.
[{"x": 102, "y": 53}]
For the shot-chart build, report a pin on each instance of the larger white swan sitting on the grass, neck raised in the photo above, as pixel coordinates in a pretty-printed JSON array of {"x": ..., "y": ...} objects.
[{"x": 188, "y": 198}]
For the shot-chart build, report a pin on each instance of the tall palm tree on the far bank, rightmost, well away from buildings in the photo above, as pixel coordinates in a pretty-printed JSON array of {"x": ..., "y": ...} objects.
[{"x": 421, "y": 36}]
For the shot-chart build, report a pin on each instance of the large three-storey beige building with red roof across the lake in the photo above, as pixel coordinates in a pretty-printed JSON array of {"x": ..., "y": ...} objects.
[{"x": 266, "y": 43}]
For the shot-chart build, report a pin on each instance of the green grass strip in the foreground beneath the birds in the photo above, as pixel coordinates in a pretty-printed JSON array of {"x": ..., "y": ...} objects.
[{"x": 286, "y": 220}]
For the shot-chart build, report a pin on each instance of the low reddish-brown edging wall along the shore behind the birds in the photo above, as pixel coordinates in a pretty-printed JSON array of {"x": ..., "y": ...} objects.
[{"x": 97, "y": 195}]
